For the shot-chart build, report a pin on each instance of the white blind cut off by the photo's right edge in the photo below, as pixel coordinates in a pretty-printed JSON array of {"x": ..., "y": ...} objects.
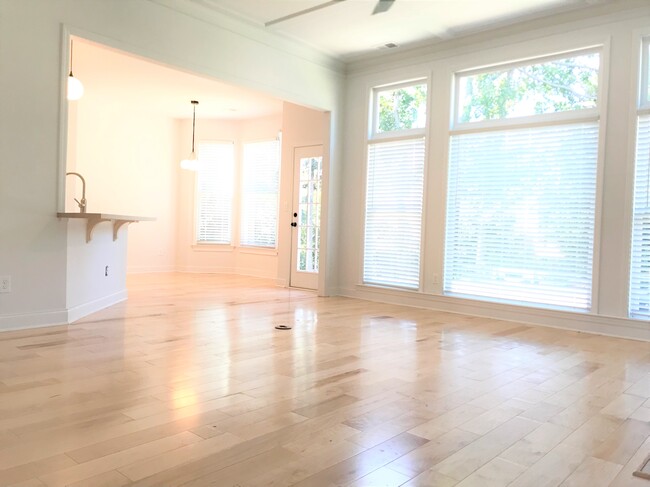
[{"x": 640, "y": 261}]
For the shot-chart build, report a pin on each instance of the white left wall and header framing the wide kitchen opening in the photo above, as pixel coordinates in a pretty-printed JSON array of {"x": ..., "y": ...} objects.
[{"x": 33, "y": 242}]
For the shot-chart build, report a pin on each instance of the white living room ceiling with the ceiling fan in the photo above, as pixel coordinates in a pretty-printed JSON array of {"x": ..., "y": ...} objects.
[{"x": 347, "y": 28}]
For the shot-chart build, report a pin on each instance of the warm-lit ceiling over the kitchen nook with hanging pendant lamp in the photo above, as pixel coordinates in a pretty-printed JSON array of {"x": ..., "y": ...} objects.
[{"x": 127, "y": 82}]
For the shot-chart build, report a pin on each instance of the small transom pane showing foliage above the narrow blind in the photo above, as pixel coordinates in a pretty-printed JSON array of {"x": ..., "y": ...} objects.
[{"x": 402, "y": 108}]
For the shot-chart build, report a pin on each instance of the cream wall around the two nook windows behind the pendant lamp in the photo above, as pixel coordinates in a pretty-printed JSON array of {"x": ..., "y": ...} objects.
[{"x": 222, "y": 258}]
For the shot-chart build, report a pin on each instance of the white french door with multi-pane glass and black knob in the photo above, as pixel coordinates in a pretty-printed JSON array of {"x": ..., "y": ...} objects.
[{"x": 307, "y": 187}]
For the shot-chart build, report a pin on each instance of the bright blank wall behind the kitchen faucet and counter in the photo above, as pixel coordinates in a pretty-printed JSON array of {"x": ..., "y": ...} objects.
[{"x": 128, "y": 159}]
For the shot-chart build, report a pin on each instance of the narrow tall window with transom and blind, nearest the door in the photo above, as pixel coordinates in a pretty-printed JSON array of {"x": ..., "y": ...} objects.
[{"x": 395, "y": 179}]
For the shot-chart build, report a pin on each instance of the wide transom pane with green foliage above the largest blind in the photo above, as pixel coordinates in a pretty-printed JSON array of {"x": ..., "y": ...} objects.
[{"x": 555, "y": 86}]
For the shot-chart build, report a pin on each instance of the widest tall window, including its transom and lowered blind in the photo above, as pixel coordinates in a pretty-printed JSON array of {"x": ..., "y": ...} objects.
[{"x": 522, "y": 182}]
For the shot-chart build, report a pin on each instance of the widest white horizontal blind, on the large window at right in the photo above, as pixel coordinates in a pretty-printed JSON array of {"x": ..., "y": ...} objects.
[{"x": 520, "y": 214}]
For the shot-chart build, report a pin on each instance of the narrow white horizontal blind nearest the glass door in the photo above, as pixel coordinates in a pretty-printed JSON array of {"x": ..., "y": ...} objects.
[{"x": 394, "y": 213}]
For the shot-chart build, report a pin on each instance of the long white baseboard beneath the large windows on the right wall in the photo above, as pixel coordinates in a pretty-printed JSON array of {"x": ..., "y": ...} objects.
[{"x": 575, "y": 321}]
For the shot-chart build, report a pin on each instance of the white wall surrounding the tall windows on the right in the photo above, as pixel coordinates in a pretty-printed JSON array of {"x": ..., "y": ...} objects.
[{"x": 618, "y": 30}]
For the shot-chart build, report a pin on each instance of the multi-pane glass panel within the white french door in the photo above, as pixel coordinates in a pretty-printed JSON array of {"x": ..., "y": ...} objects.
[{"x": 311, "y": 169}]
